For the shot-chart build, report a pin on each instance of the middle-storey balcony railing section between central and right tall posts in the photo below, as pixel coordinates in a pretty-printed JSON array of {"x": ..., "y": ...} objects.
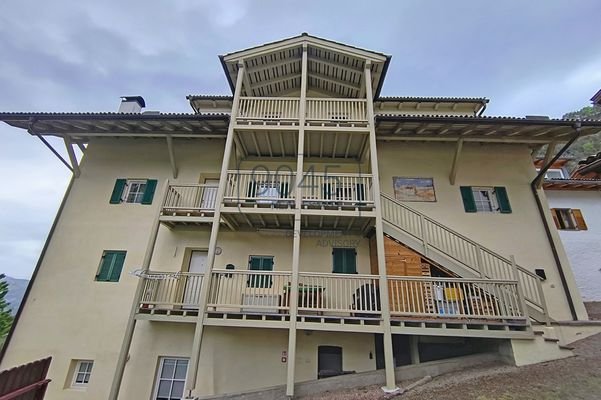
[{"x": 350, "y": 189}]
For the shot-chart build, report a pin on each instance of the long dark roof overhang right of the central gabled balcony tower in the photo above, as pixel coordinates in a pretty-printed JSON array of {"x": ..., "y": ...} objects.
[{"x": 480, "y": 129}]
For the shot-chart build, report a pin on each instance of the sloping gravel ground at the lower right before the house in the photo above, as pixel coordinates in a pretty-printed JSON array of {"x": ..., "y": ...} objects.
[{"x": 575, "y": 378}]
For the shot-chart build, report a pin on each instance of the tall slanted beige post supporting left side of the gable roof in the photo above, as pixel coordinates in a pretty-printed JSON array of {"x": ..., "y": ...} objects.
[{"x": 206, "y": 282}]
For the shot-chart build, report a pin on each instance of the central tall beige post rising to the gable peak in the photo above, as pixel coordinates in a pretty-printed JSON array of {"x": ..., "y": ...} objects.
[{"x": 296, "y": 237}]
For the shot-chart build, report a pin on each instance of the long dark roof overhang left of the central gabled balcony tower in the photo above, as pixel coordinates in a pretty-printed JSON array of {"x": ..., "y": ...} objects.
[{"x": 81, "y": 126}]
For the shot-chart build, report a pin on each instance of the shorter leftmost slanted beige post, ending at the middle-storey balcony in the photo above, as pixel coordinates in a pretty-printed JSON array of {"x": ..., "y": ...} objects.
[{"x": 131, "y": 322}]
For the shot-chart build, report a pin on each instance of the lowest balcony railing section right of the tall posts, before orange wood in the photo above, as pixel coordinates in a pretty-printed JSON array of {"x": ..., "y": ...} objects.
[{"x": 455, "y": 298}]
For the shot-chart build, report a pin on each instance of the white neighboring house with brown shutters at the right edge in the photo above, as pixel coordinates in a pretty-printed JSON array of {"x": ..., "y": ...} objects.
[{"x": 575, "y": 202}]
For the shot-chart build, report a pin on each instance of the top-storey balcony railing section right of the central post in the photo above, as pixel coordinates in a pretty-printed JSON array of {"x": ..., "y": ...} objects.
[{"x": 338, "y": 110}]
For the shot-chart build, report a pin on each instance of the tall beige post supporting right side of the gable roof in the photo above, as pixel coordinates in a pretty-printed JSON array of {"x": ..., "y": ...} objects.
[{"x": 383, "y": 282}]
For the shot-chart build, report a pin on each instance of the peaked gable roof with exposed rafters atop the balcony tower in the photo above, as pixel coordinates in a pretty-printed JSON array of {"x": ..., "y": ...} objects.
[{"x": 334, "y": 69}]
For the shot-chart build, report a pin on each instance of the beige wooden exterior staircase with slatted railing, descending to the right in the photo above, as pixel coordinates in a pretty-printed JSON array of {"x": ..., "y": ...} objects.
[{"x": 459, "y": 254}]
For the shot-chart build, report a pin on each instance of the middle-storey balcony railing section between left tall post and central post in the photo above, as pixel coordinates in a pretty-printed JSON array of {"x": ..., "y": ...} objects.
[{"x": 259, "y": 187}]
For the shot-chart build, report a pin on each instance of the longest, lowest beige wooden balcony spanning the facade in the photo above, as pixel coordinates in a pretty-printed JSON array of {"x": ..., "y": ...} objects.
[{"x": 339, "y": 302}]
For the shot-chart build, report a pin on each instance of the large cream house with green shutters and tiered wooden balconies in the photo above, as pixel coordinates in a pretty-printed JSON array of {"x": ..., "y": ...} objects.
[{"x": 303, "y": 227}]
